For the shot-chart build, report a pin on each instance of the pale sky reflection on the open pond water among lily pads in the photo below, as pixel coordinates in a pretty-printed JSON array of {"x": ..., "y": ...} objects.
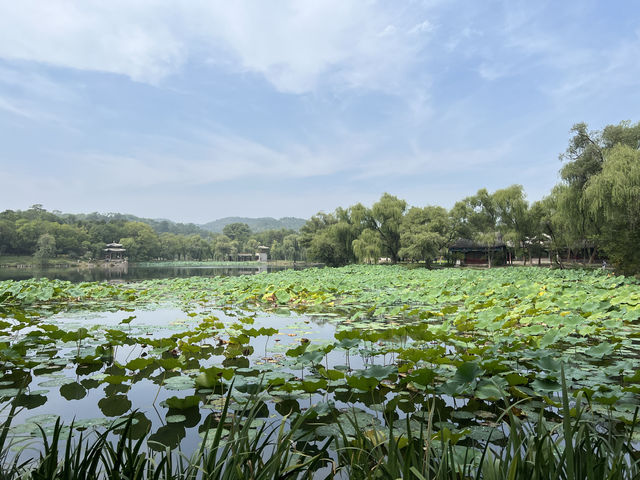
[{"x": 100, "y": 390}]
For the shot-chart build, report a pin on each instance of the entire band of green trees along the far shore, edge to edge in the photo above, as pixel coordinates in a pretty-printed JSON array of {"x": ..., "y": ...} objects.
[{"x": 592, "y": 213}]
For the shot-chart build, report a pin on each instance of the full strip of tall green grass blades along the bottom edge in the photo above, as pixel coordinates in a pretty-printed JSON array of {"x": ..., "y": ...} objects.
[{"x": 235, "y": 448}]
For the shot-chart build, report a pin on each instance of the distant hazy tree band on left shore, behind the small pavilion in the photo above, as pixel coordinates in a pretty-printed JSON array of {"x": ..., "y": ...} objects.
[{"x": 47, "y": 234}]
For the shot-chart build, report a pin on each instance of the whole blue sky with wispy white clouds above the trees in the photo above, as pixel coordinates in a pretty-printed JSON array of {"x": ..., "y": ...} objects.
[{"x": 198, "y": 110}]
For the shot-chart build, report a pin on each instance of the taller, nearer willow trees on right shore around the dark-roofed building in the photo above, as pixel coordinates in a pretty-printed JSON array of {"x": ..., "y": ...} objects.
[{"x": 593, "y": 212}]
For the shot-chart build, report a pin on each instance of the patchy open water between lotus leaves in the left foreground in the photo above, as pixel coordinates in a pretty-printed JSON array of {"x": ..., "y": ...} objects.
[{"x": 59, "y": 386}]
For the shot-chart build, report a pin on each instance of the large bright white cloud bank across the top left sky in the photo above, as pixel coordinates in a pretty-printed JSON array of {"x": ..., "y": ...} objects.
[{"x": 294, "y": 45}]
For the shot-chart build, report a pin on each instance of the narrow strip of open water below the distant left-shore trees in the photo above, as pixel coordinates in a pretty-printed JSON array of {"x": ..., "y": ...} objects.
[{"x": 133, "y": 272}]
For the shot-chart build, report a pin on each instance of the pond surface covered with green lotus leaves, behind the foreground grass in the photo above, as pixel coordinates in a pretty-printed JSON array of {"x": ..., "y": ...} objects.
[{"x": 364, "y": 342}]
